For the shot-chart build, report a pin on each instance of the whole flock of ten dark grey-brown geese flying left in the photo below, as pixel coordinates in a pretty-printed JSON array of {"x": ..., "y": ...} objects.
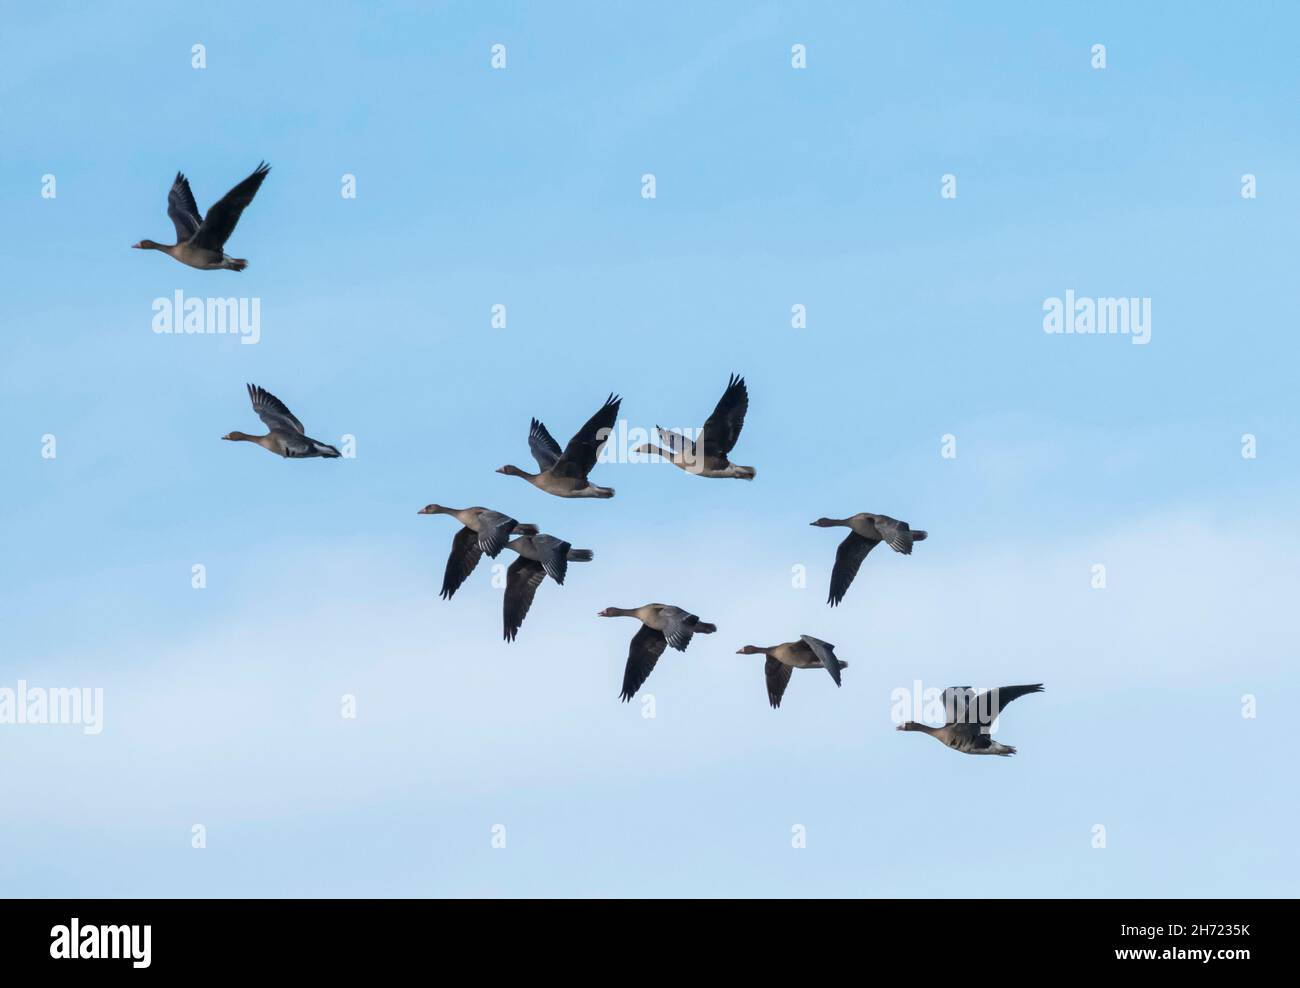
[{"x": 566, "y": 474}]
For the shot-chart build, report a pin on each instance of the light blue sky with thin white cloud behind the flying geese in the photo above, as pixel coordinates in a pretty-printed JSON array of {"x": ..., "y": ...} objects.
[{"x": 774, "y": 188}]
